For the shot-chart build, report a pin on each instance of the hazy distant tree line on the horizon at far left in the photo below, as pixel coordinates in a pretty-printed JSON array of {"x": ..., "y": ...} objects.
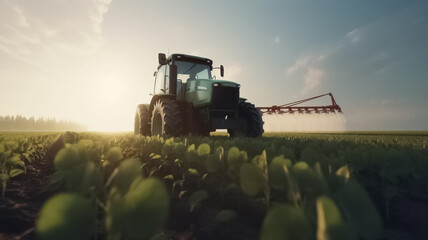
[{"x": 20, "y": 123}]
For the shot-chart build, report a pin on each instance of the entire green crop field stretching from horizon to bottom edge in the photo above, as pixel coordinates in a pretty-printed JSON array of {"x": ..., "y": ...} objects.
[{"x": 351, "y": 185}]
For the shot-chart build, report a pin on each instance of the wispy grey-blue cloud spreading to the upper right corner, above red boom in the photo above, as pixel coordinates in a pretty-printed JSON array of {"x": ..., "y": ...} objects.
[{"x": 380, "y": 55}]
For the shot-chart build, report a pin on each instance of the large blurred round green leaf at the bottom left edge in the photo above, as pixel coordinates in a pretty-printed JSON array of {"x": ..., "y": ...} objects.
[{"x": 66, "y": 216}]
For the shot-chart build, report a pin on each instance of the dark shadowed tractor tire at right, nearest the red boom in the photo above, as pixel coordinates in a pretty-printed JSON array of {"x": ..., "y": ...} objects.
[{"x": 252, "y": 118}]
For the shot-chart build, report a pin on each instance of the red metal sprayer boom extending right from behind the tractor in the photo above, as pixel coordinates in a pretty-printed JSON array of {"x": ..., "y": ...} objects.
[{"x": 291, "y": 108}]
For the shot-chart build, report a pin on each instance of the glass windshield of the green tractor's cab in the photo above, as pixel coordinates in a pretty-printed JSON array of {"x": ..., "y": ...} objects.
[{"x": 190, "y": 71}]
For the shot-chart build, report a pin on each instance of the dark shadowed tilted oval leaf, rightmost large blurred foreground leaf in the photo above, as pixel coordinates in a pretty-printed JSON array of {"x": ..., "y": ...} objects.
[{"x": 359, "y": 210}]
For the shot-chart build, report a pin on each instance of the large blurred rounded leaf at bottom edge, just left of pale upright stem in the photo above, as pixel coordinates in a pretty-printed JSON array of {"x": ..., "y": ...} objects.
[{"x": 283, "y": 222}]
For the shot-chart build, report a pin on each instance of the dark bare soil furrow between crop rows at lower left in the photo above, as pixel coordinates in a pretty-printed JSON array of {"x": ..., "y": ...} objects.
[{"x": 25, "y": 195}]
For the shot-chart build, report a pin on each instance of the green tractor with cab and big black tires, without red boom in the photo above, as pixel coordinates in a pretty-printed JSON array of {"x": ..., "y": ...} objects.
[{"x": 188, "y": 100}]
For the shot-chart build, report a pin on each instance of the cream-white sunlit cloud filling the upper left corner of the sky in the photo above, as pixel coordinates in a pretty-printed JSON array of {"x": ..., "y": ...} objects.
[{"x": 45, "y": 35}]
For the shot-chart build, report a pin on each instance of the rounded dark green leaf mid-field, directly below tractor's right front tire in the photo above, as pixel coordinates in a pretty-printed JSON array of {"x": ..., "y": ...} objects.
[{"x": 251, "y": 179}]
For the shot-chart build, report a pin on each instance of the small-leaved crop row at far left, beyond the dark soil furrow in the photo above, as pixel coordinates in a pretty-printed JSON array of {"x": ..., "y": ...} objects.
[{"x": 17, "y": 150}]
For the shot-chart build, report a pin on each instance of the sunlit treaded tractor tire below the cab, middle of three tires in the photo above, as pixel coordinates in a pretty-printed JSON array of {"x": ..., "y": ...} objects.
[{"x": 167, "y": 118}]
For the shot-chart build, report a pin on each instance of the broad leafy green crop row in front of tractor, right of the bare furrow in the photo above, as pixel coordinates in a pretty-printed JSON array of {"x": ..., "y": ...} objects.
[{"x": 129, "y": 187}]
